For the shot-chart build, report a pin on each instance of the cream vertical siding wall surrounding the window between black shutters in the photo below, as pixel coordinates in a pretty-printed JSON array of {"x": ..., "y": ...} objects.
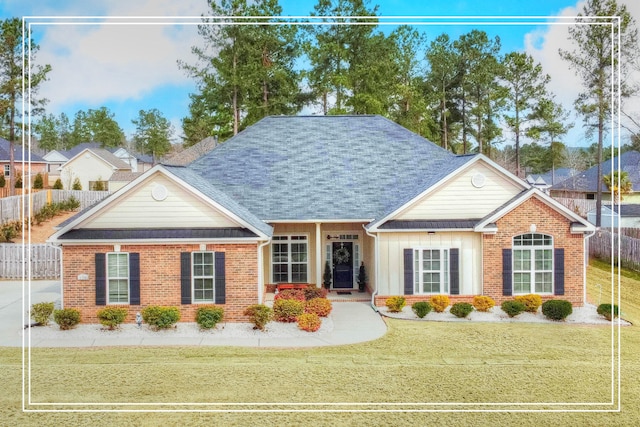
[{"x": 392, "y": 247}]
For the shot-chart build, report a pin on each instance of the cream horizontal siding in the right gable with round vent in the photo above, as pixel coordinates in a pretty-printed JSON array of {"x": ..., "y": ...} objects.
[{"x": 460, "y": 199}]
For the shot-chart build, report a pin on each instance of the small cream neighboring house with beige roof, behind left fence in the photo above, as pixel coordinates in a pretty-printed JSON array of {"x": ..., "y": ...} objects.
[{"x": 92, "y": 166}]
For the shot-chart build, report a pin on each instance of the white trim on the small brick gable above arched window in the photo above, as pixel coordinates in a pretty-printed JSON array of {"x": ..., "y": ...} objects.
[{"x": 487, "y": 224}]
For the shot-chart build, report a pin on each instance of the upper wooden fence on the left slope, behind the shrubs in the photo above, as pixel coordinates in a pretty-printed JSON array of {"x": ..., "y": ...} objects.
[{"x": 12, "y": 208}]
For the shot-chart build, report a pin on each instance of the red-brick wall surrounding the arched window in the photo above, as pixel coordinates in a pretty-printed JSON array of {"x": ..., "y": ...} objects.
[{"x": 547, "y": 221}]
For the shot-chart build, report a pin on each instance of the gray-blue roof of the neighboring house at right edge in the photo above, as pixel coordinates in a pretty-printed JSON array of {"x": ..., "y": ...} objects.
[{"x": 587, "y": 181}]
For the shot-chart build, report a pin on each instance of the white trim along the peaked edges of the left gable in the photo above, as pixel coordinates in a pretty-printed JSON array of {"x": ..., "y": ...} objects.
[{"x": 115, "y": 197}]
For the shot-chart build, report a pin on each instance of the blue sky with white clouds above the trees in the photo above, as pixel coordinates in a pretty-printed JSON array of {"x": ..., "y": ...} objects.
[{"x": 133, "y": 67}]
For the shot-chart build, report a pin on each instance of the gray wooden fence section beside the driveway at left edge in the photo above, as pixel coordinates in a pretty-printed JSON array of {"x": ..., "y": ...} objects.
[{"x": 43, "y": 259}]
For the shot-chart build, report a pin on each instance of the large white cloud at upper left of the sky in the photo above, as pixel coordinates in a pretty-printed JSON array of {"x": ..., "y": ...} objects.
[{"x": 98, "y": 63}]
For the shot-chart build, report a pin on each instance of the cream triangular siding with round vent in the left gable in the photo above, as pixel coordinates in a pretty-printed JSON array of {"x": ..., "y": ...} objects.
[{"x": 139, "y": 209}]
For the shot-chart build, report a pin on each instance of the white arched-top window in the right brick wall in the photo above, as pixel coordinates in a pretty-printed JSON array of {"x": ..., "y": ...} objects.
[{"x": 532, "y": 264}]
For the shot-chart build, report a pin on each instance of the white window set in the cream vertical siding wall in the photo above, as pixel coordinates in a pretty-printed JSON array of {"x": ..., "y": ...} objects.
[{"x": 431, "y": 271}]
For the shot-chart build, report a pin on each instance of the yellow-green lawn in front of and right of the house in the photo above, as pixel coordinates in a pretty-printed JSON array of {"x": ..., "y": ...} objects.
[{"x": 414, "y": 362}]
